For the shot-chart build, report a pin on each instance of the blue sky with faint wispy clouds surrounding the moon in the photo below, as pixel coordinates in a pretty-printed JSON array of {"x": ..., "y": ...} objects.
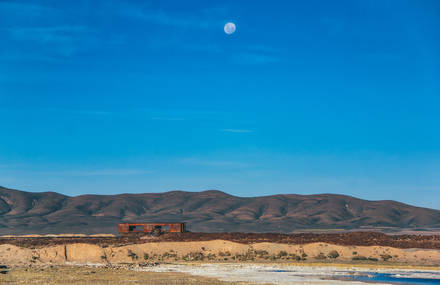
[{"x": 148, "y": 96}]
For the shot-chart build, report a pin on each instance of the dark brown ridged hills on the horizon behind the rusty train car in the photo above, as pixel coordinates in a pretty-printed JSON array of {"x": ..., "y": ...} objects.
[{"x": 209, "y": 211}]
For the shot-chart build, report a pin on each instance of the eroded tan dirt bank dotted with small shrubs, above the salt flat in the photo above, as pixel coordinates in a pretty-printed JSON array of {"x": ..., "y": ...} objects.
[{"x": 215, "y": 251}]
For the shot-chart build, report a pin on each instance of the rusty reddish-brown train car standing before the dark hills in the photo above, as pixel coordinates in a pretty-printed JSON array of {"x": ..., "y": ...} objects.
[{"x": 151, "y": 228}]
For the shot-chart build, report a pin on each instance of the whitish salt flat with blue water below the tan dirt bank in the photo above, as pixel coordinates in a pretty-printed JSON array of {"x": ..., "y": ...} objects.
[{"x": 288, "y": 274}]
